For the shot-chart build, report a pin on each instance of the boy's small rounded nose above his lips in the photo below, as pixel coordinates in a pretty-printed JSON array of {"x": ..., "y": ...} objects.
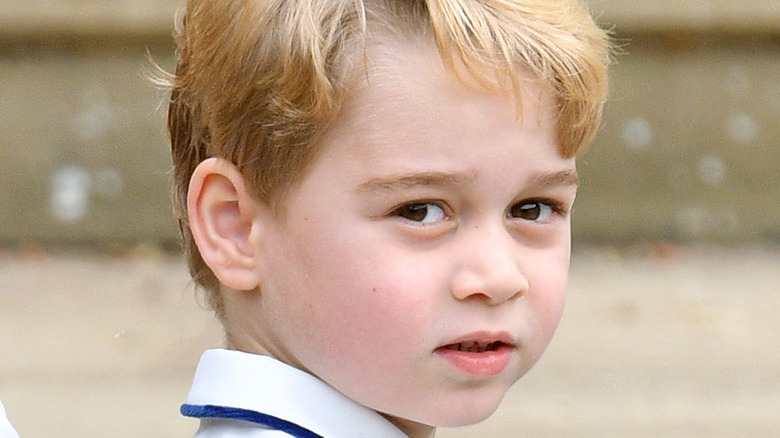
[{"x": 489, "y": 268}]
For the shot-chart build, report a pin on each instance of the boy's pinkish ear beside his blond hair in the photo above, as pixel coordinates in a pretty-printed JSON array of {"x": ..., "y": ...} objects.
[{"x": 222, "y": 215}]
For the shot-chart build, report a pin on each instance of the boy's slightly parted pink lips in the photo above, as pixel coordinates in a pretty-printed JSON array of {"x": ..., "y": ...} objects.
[{"x": 480, "y": 354}]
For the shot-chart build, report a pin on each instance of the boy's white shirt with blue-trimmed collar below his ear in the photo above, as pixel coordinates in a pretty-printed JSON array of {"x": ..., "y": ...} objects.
[{"x": 243, "y": 395}]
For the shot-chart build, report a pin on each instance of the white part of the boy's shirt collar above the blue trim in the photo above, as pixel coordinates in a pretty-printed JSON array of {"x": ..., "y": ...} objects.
[{"x": 265, "y": 385}]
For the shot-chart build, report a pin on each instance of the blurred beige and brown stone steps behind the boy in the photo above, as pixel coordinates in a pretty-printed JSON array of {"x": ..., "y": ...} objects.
[{"x": 672, "y": 326}]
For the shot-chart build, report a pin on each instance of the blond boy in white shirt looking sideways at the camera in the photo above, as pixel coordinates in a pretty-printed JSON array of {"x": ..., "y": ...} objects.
[{"x": 376, "y": 197}]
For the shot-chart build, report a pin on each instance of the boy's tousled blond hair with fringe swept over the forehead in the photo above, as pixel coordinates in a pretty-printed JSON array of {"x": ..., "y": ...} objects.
[{"x": 258, "y": 82}]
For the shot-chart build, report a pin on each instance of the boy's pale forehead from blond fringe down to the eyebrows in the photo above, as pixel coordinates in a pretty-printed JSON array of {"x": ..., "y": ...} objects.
[{"x": 411, "y": 116}]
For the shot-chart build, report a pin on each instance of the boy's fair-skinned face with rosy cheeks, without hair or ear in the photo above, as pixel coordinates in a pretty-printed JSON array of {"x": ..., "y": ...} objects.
[{"x": 421, "y": 267}]
